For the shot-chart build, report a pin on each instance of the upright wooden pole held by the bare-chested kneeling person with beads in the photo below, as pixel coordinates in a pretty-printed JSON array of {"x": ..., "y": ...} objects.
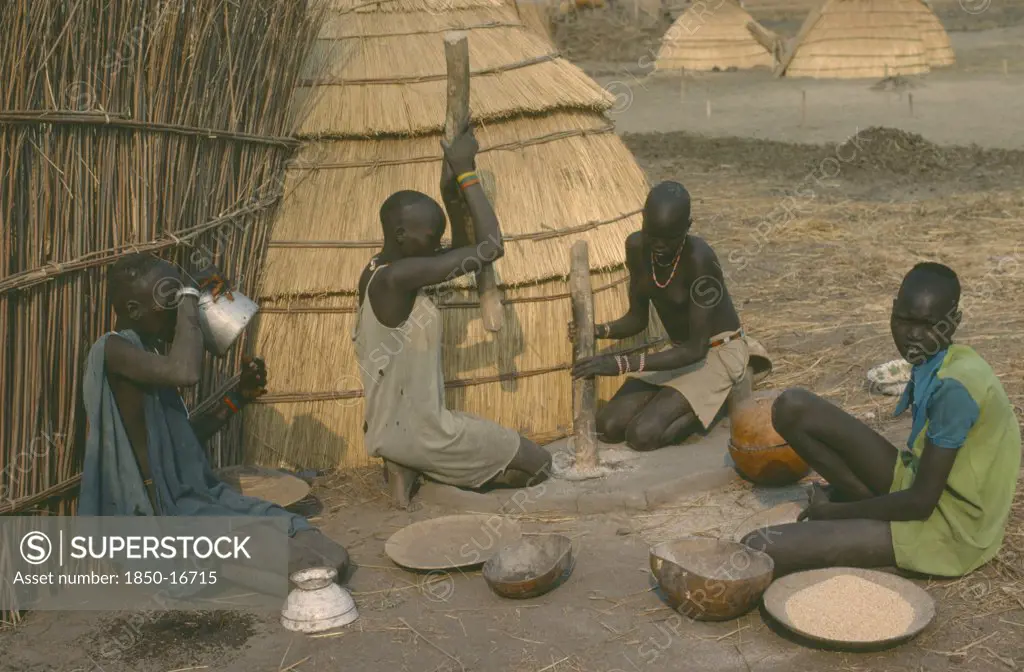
[{"x": 584, "y": 391}]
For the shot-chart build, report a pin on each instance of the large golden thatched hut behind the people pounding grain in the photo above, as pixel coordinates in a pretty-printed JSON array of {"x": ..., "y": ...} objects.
[{"x": 557, "y": 173}]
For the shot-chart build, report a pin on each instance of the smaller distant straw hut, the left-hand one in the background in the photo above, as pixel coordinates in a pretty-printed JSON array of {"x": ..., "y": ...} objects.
[{"x": 704, "y": 39}]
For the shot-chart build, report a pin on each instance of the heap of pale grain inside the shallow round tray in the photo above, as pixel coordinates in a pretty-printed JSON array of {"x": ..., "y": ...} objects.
[{"x": 850, "y": 609}]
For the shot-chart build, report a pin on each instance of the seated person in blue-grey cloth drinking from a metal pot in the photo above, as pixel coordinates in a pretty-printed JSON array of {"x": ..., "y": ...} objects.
[{"x": 144, "y": 454}]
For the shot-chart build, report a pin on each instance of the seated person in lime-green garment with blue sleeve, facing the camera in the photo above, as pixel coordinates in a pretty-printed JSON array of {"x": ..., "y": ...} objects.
[{"x": 937, "y": 508}]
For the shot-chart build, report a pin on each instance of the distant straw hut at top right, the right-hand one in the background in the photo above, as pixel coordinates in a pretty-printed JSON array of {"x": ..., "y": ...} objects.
[{"x": 852, "y": 39}]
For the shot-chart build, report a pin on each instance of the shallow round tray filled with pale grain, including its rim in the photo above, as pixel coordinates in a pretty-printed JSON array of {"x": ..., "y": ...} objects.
[{"x": 848, "y": 609}]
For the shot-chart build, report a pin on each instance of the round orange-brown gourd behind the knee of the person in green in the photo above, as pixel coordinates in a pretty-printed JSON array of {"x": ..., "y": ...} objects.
[{"x": 759, "y": 453}]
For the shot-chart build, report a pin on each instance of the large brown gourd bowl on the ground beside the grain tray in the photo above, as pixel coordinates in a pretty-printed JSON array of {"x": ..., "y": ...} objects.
[{"x": 711, "y": 579}]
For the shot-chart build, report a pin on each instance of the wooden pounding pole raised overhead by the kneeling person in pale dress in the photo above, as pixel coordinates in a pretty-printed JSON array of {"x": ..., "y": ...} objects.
[{"x": 457, "y": 117}]
